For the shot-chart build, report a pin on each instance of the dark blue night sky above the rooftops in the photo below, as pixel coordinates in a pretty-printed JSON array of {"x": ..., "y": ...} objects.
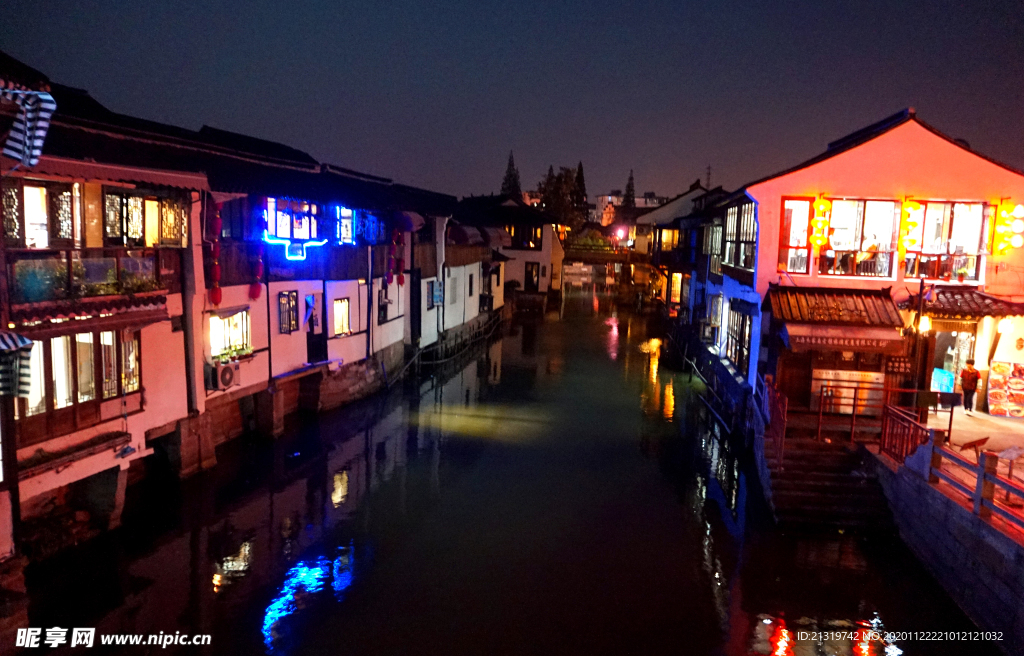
[{"x": 436, "y": 95}]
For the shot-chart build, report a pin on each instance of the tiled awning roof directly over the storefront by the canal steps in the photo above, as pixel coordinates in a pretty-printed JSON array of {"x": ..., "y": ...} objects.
[{"x": 834, "y": 307}]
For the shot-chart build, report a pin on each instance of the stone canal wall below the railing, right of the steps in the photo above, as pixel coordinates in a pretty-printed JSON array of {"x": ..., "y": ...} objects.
[{"x": 979, "y": 565}]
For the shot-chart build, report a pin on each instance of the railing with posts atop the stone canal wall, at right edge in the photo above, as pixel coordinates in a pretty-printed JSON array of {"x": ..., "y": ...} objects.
[{"x": 990, "y": 492}]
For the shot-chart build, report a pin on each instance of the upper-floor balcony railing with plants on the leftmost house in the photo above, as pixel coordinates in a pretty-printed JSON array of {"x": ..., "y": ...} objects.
[{"x": 39, "y": 276}]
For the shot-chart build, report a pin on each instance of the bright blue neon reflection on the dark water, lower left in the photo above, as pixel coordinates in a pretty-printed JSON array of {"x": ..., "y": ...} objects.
[{"x": 304, "y": 581}]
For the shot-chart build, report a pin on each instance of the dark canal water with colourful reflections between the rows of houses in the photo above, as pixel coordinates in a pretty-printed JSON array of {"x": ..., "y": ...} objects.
[{"x": 561, "y": 492}]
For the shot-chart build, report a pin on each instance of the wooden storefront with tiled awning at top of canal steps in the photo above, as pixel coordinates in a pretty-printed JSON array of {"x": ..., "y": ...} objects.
[{"x": 832, "y": 346}]
